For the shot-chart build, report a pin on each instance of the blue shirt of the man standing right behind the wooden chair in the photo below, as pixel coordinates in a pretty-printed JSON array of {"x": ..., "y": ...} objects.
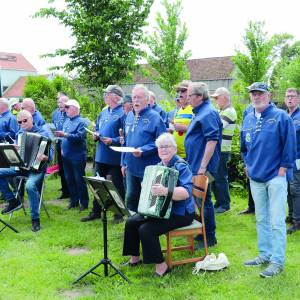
[{"x": 205, "y": 126}]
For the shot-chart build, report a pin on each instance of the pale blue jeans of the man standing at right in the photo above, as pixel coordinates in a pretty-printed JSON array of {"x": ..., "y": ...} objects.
[{"x": 270, "y": 201}]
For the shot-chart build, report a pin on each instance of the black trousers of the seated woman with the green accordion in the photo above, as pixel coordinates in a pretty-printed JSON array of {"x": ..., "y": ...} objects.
[{"x": 147, "y": 231}]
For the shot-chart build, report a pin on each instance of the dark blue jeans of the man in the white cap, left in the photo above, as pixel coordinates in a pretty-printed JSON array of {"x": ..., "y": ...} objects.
[{"x": 74, "y": 172}]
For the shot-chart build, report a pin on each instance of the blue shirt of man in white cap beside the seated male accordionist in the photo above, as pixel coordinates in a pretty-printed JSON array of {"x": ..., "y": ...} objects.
[{"x": 74, "y": 144}]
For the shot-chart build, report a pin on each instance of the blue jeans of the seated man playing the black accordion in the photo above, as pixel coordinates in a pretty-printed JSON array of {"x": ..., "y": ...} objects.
[{"x": 33, "y": 187}]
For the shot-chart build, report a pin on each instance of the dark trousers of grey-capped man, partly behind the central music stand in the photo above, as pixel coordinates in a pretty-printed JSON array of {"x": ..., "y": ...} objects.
[{"x": 116, "y": 176}]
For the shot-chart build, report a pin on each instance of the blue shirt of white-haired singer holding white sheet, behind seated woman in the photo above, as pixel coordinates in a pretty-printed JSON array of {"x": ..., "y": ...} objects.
[{"x": 141, "y": 133}]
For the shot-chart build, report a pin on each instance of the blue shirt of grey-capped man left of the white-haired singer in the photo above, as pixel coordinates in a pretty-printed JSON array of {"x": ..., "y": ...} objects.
[{"x": 108, "y": 124}]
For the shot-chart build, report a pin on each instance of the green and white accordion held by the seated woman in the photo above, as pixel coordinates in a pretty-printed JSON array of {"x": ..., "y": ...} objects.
[{"x": 157, "y": 206}]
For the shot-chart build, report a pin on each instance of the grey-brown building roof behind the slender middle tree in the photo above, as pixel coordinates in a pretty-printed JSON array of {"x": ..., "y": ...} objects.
[{"x": 211, "y": 68}]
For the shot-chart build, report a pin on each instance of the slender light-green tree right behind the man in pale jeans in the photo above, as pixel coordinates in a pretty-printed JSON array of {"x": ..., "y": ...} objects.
[{"x": 256, "y": 63}]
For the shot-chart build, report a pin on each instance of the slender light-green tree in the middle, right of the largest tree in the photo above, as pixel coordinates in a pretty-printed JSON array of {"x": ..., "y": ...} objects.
[{"x": 166, "y": 46}]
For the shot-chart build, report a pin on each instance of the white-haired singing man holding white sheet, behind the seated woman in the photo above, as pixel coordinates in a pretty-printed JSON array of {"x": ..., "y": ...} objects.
[{"x": 143, "y": 126}]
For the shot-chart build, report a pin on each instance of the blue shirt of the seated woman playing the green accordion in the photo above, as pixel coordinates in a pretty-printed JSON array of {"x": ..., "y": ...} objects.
[{"x": 185, "y": 181}]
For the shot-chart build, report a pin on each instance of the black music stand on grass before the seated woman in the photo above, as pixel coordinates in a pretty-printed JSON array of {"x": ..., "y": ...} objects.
[{"x": 109, "y": 199}]
